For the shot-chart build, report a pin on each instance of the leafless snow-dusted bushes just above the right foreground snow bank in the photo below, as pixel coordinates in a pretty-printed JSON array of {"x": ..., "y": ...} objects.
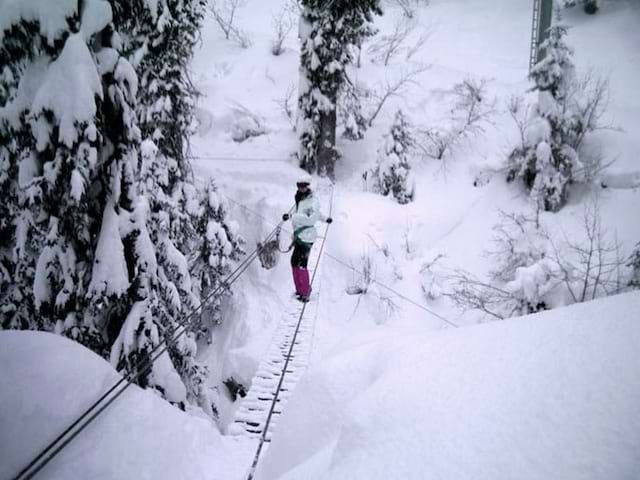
[{"x": 533, "y": 268}]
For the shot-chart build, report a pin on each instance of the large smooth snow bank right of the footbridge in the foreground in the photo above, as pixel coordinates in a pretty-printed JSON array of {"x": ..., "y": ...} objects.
[{"x": 552, "y": 395}]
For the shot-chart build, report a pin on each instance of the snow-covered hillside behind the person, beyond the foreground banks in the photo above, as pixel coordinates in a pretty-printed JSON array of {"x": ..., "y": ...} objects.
[{"x": 450, "y": 216}]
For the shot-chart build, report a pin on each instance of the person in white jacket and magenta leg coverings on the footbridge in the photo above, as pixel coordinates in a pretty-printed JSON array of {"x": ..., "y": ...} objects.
[{"x": 303, "y": 219}]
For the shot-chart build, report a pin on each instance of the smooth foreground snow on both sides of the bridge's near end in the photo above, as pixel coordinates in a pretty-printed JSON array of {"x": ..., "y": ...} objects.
[{"x": 552, "y": 395}]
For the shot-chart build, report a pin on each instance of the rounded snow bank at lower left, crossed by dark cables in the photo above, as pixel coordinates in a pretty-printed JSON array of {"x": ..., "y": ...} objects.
[{"x": 47, "y": 380}]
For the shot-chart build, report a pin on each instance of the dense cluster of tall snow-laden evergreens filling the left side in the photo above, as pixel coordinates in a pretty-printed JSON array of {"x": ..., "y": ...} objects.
[{"x": 98, "y": 160}]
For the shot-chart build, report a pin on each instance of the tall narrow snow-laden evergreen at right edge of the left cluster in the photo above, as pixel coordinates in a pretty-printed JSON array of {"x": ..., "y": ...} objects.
[{"x": 162, "y": 38}]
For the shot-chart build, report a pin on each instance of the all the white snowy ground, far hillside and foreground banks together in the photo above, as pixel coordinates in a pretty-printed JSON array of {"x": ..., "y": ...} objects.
[{"x": 390, "y": 392}]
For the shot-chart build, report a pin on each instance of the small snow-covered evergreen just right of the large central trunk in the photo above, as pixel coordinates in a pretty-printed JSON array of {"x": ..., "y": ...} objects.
[{"x": 392, "y": 172}]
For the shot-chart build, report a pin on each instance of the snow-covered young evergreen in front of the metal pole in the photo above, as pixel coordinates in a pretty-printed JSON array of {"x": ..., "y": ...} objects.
[{"x": 546, "y": 161}]
